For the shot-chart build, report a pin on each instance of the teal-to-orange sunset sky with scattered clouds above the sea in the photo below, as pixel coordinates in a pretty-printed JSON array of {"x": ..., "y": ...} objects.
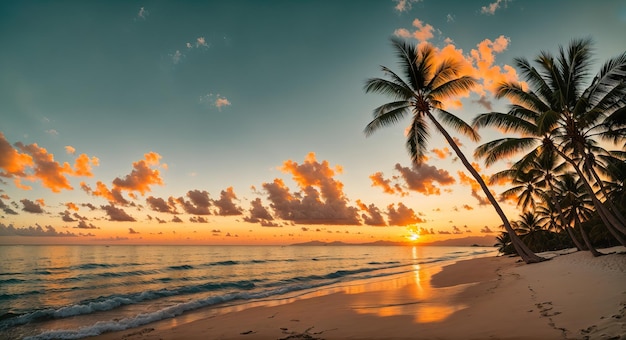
[{"x": 241, "y": 122}]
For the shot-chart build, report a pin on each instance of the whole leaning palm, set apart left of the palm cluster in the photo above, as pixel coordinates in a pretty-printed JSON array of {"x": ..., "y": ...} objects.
[{"x": 428, "y": 82}]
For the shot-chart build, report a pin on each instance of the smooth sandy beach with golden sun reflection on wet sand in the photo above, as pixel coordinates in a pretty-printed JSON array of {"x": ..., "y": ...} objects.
[{"x": 572, "y": 296}]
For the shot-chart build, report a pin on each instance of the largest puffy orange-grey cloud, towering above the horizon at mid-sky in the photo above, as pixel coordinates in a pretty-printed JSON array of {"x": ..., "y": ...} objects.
[{"x": 320, "y": 200}]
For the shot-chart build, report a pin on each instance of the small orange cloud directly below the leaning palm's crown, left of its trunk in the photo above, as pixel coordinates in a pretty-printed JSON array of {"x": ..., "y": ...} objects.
[{"x": 422, "y": 178}]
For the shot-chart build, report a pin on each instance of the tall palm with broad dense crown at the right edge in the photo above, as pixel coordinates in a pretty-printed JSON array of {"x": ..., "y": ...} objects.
[{"x": 560, "y": 116}]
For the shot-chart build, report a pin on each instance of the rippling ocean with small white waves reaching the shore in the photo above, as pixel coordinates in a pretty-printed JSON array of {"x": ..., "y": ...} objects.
[{"x": 72, "y": 292}]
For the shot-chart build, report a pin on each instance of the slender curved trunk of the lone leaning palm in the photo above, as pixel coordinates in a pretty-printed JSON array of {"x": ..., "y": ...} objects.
[{"x": 524, "y": 252}]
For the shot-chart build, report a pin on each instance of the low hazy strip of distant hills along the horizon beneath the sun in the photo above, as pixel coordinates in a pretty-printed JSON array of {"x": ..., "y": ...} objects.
[{"x": 470, "y": 241}]
